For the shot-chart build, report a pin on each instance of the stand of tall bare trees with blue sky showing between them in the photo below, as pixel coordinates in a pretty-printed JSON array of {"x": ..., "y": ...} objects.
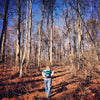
[{"x": 38, "y": 33}]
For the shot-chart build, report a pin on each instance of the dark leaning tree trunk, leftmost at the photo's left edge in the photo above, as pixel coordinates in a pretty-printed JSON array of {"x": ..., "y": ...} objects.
[{"x": 3, "y": 34}]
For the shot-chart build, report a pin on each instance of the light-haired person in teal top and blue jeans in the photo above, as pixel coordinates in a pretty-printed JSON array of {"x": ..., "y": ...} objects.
[{"x": 47, "y": 74}]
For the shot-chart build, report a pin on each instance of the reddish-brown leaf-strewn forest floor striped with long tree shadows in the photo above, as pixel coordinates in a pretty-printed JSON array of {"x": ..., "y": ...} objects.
[{"x": 65, "y": 86}]
